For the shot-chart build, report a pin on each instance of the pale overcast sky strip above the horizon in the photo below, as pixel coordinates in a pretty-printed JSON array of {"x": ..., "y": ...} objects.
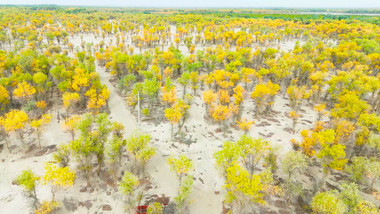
[{"x": 210, "y": 3}]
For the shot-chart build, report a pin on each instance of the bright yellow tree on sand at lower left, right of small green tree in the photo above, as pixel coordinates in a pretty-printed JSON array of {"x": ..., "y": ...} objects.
[{"x": 58, "y": 177}]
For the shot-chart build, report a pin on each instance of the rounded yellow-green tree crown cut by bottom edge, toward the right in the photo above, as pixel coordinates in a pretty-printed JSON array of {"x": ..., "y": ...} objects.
[{"x": 328, "y": 203}]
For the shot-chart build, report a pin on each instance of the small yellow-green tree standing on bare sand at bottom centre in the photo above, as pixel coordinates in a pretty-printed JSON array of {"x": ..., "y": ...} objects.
[{"x": 181, "y": 165}]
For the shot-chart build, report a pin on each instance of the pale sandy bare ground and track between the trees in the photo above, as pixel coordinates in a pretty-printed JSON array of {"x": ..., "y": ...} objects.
[{"x": 207, "y": 194}]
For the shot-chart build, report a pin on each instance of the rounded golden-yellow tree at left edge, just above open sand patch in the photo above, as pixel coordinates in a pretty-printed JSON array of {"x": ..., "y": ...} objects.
[{"x": 14, "y": 121}]
